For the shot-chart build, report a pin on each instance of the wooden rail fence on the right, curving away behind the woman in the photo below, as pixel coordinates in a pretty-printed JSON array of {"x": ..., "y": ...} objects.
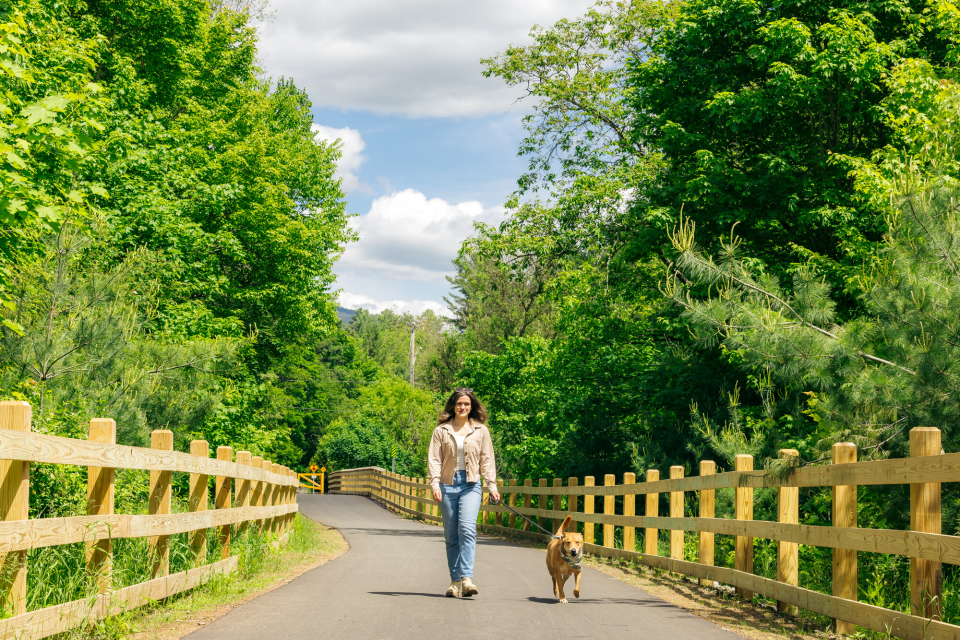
[{"x": 924, "y": 544}]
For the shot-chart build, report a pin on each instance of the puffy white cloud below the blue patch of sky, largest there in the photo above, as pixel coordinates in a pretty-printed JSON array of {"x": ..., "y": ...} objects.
[{"x": 405, "y": 236}]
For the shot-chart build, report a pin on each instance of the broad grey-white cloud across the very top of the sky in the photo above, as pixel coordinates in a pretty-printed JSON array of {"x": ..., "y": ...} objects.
[{"x": 418, "y": 58}]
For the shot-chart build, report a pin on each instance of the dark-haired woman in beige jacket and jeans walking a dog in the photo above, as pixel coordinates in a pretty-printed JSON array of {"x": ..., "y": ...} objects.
[{"x": 460, "y": 452}]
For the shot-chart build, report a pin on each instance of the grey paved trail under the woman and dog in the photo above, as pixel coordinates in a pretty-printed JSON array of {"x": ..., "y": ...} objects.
[{"x": 389, "y": 586}]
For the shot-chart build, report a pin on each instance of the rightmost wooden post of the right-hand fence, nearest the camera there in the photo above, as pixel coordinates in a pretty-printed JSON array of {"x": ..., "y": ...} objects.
[{"x": 926, "y": 576}]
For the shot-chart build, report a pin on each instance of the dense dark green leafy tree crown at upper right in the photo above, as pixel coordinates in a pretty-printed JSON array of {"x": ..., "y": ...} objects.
[{"x": 762, "y": 111}]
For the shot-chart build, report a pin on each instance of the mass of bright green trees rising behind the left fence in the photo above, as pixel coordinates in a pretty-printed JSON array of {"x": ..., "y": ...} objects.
[{"x": 179, "y": 300}]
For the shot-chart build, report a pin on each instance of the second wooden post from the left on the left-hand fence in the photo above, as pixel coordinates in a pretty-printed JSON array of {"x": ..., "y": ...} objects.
[{"x": 100, "y": 486}]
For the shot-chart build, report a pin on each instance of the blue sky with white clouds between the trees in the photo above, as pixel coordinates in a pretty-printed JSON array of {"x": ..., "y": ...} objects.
[{"x": 429, "y": 145}]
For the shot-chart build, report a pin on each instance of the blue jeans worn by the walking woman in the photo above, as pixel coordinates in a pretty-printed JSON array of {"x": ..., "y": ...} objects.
[{"x": 459, "y": 508}]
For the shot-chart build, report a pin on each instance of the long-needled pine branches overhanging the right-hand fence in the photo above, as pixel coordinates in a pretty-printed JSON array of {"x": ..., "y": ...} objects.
[{"x": 878, "y": 376}]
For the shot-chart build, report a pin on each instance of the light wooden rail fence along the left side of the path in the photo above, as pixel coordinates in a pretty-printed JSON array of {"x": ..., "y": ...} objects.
[{"x": 264, "y": 492}]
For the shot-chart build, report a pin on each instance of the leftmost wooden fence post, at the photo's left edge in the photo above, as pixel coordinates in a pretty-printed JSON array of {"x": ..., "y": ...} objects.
[{"x": 15, "y": 505}]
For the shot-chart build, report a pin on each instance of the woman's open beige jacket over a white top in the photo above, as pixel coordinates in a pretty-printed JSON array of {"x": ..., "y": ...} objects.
[{"x": 477, "y": 453}]
